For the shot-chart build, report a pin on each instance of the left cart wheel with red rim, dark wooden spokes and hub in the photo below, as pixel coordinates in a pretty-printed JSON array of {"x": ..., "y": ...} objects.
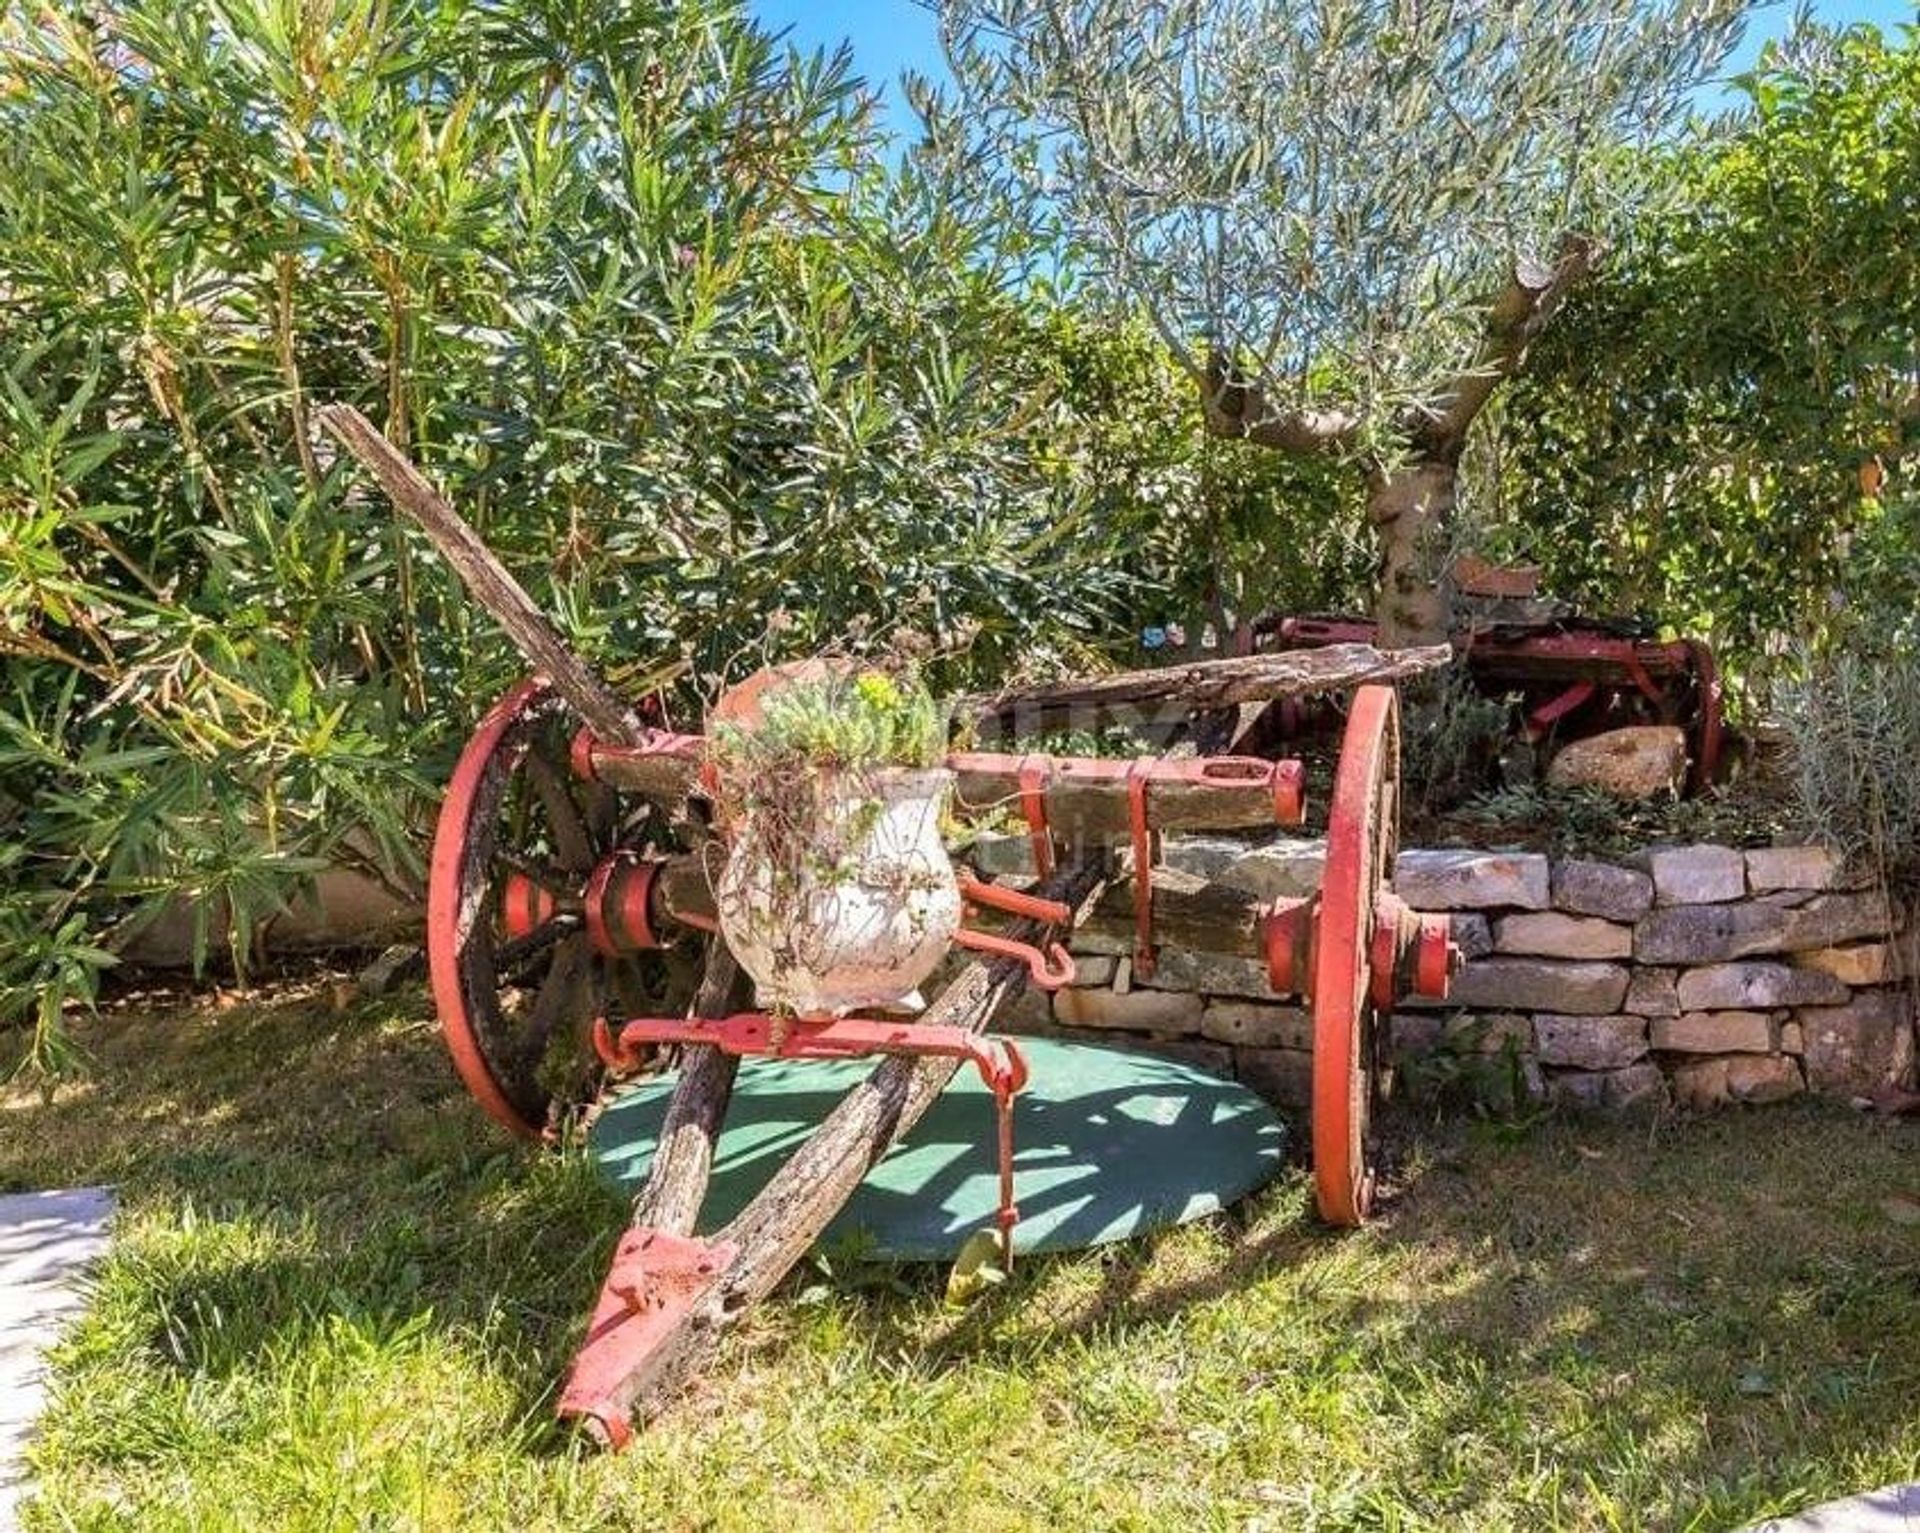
[{"x": 517, "y": 973}]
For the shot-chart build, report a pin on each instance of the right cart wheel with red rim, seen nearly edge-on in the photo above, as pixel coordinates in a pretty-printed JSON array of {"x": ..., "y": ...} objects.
[{"x": 1362, "y": 839}]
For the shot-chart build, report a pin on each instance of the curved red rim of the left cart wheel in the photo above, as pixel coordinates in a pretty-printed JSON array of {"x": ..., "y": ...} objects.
[{"x": 456, "y": 906}]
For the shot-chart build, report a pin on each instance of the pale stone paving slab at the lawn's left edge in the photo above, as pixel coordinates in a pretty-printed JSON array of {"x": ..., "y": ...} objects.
[{"x": 47, "y": 1246}]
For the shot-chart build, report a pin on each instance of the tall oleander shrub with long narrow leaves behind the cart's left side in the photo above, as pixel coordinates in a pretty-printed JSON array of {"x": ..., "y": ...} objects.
[{"x": 636, "y": 283}]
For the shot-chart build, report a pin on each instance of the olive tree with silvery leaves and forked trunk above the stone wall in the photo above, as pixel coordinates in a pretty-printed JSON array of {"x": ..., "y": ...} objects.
[{"x": 1347, "y": 218}]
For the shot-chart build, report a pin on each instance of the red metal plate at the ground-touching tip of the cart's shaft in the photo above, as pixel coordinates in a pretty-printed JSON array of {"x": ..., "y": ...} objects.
[{"x": 656, "y": 1280}]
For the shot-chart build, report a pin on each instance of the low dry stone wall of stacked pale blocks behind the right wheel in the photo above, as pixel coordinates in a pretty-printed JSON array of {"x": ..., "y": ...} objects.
[{"x": 1685, "y": 977}]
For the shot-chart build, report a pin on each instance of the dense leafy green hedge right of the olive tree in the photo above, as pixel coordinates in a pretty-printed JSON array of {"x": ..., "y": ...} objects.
[{"x": 1731, "y": 418}]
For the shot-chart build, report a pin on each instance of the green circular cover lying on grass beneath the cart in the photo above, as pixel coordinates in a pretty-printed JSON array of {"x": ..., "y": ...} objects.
[{"x": 1107, "y": 1144}]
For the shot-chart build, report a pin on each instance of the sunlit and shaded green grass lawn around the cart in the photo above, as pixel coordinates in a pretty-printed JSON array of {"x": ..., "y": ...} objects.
[{"x": 341, "y": 1300}]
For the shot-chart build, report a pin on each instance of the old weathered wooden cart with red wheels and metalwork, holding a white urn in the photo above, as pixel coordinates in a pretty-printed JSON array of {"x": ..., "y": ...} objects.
[{"x": 567, "y": 894}]
